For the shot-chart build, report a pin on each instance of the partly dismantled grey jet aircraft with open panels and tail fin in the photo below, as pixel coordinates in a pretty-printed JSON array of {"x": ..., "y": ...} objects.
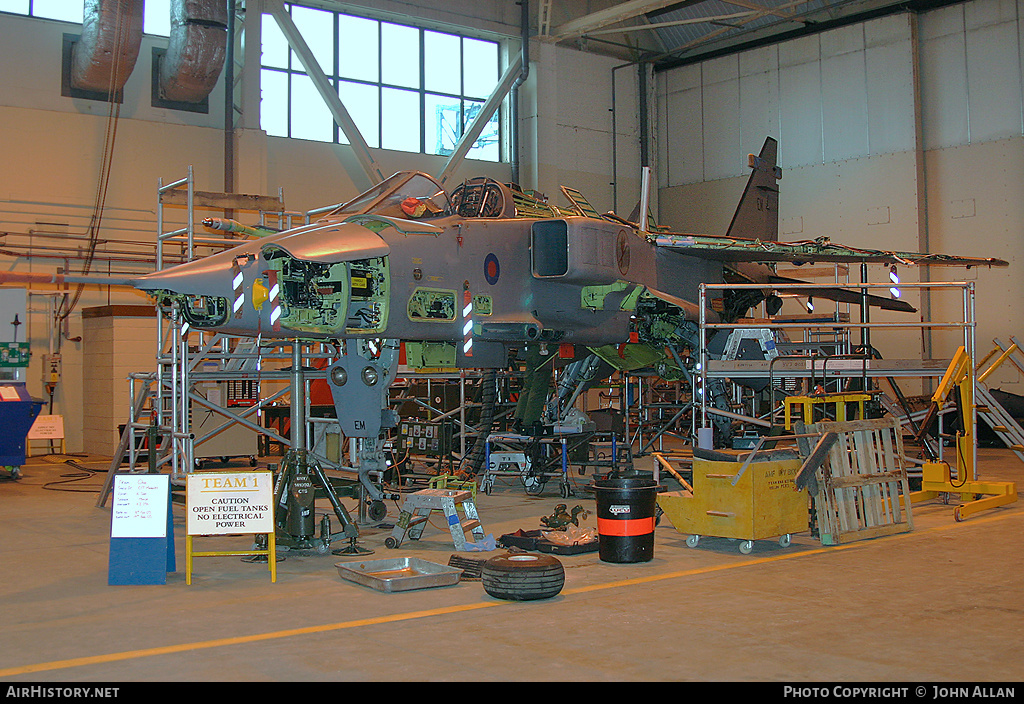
[{"x": 462, "y": 278}]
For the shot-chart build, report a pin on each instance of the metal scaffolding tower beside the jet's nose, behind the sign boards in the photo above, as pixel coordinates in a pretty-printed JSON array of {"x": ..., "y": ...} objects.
[{"x": 160, "y": 417}]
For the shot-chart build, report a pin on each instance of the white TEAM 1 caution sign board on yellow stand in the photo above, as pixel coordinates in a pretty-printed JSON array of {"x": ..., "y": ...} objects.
[{"x": 227, "y": 503}]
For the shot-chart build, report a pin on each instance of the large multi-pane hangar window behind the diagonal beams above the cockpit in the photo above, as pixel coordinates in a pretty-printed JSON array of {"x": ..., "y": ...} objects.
[{"x": 406, "y": 89}]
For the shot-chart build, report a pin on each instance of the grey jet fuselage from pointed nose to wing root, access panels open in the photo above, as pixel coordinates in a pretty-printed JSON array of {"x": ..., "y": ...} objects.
[{"x": 571, "y": 280}]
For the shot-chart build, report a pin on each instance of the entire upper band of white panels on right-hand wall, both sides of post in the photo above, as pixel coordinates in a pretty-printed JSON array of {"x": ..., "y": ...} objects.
[{"x": 849, "y": 93}]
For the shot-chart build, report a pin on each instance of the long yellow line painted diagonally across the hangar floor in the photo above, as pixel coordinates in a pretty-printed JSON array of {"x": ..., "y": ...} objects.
[{"x": 413, "y": 615}]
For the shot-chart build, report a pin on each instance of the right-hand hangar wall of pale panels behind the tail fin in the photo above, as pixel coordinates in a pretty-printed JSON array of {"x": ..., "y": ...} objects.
[{"x": 871, "y": 156}]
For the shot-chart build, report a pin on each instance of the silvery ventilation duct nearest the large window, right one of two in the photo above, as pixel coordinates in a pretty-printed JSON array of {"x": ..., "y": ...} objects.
[{"x": 196, "y": 52}]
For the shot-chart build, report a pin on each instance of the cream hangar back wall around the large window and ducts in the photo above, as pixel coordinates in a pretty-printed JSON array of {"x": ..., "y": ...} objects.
[{"x": 54, "y": 148}]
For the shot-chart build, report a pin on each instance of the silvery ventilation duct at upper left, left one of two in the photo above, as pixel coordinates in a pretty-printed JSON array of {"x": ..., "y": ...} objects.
[{"x": 105, "y": 56}]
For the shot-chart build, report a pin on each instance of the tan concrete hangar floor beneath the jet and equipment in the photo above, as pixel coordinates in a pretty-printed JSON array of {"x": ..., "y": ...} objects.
[{"x": 941, "y": 604}]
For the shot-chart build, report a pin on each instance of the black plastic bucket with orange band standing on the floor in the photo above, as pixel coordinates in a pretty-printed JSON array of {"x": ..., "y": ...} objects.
[{"x": 626, "y": 519}]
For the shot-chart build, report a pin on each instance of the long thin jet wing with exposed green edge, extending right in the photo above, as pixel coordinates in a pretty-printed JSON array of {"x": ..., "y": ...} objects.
[{"x": 805, "y": 252}]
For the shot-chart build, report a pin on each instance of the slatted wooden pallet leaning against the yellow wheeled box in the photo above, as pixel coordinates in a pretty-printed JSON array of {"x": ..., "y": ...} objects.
[{"x": 863, "y": 490}]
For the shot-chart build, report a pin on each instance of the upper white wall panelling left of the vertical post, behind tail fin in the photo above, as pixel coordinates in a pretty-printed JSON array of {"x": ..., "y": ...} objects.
[{"x": 842, "y": 95}]
